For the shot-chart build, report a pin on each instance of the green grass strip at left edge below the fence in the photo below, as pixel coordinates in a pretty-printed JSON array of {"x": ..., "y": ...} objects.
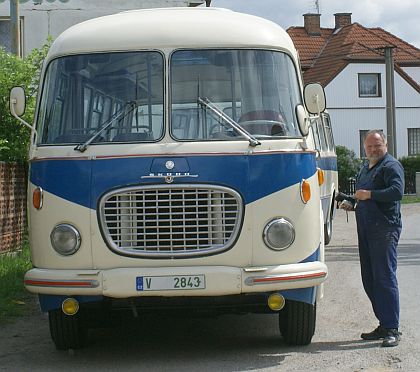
[{"x": 14, "y": 299}]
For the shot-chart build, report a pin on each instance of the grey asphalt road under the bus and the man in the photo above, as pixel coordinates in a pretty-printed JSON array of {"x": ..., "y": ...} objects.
[{"x": 249, "y": 342}]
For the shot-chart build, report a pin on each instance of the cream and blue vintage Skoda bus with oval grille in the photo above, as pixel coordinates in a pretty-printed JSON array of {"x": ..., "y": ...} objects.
[{"x": 175, "y": 163}]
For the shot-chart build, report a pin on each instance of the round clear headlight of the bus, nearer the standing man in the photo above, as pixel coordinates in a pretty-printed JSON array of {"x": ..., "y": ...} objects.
[{"x": 279, "y": 234}]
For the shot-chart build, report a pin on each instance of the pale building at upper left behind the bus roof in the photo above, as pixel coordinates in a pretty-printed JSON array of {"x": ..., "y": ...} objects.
[{"x": 41, "y": 18}]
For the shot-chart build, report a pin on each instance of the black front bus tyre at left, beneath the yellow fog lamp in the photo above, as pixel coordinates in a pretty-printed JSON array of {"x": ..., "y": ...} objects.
[{"x": 67, "y": 331}]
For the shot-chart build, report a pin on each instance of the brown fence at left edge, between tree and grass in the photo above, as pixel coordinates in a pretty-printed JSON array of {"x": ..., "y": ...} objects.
[{"x": 12, "y": 205}]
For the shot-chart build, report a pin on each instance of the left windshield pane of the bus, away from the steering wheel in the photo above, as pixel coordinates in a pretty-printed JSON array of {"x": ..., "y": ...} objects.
[{"x": 121, "y": 92}]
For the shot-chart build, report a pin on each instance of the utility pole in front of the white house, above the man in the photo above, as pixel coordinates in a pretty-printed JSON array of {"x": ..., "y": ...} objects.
[{"x": 390, "y": 102}]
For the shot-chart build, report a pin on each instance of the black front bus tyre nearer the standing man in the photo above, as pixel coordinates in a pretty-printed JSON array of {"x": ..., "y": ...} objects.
[{"x": 297, "y": 322}]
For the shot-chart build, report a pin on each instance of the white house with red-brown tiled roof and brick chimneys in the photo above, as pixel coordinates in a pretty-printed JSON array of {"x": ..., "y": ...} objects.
[{"x": 348, "y": 60}]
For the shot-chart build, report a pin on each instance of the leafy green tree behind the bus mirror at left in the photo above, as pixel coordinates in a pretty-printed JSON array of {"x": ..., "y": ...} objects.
[{"x": 14, "y": 71}]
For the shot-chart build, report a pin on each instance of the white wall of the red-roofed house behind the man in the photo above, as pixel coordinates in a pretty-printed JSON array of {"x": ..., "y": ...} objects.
[{"x": 350, "y": 113}]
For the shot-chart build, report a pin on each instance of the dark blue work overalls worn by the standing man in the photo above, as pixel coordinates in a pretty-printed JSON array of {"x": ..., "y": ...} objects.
[{"x": 378, "y": 239}]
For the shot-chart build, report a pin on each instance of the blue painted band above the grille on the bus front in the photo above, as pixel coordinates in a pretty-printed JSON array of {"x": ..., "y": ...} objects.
[{"x": 254, "y": 176}]
